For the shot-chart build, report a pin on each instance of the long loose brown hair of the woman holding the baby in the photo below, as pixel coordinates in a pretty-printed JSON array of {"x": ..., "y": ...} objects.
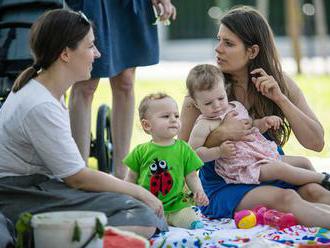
[{"x": 251, "y": 27}]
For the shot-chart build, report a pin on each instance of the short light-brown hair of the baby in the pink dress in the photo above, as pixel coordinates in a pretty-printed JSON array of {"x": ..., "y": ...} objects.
[{"x": 203, "y": 77}]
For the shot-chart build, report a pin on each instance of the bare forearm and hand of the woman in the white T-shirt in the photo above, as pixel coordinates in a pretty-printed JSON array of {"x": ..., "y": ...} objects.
[{"x": 97, "y": 181}]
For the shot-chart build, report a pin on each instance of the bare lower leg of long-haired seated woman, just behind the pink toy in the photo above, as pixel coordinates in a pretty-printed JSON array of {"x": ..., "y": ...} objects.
[{"x": 286, "y": 200}]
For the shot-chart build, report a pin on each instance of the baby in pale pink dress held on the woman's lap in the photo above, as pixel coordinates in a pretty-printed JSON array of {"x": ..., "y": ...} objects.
[{"x": 241, "y": 161}]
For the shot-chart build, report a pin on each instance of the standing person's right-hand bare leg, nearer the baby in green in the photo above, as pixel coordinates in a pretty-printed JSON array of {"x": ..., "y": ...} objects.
[{"x": 122, "y": 117}]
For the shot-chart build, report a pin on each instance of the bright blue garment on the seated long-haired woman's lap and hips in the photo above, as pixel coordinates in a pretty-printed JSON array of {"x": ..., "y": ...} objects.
[{"x": 224, "y": 198}]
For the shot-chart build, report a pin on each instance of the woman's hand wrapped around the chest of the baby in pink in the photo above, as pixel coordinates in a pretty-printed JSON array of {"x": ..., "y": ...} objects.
[{"x": 230, "y": 129}]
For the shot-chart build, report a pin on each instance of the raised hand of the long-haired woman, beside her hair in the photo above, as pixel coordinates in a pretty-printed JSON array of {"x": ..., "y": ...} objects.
[{"x": 266, "y": 85}]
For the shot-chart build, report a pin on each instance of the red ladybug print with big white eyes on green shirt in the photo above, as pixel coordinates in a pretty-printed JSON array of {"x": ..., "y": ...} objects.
[{"x": 161, "y": 181}]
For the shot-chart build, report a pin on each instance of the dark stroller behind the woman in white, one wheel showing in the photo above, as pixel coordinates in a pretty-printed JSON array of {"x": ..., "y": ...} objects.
[{"x": 16, "y": 18}]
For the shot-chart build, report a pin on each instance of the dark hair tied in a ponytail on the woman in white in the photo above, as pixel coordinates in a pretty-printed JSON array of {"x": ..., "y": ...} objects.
[{"x": 50, "y": 34}]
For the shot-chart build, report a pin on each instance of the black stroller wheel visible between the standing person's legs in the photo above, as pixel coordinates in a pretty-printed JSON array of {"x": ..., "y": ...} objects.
[{"x": 103, "y": 142}]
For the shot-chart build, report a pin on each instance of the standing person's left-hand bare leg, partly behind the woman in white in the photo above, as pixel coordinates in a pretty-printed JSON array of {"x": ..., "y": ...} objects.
[{"x": 80, "y": 107}]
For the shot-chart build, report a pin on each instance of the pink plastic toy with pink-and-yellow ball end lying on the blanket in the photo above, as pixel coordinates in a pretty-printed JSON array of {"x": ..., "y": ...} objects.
[{"x": 263, "y": 216}]
